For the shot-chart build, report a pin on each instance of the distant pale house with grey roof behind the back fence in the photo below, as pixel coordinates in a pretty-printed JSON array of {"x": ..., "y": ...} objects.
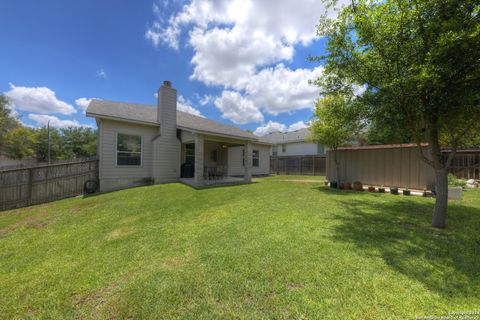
[{"x": 295, "y": 143}]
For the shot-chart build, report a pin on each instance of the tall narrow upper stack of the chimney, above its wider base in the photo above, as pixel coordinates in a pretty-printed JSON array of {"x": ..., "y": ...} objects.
[{"x": 167, "y": 109}]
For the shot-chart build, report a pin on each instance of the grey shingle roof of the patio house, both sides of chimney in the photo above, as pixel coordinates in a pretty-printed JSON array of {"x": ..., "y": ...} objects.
[{"x": 147, "y": 114}]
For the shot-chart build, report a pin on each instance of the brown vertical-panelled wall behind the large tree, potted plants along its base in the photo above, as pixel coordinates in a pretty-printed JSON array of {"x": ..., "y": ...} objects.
[{"x": 396, "y": 165}]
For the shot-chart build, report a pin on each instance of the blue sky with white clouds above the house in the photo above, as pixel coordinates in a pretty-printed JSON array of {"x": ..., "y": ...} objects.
[{"x": 238, "y": 62}]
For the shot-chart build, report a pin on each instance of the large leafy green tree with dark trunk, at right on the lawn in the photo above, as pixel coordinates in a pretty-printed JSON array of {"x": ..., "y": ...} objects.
[{"x": 419, "y": 61}]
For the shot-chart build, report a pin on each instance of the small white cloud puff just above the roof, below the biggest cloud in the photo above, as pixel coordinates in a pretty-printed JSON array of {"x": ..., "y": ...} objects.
[{"x": 237, "y": 108}]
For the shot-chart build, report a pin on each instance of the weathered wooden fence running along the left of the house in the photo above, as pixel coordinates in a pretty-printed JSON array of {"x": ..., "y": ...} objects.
[{"x": 27, "y": 186}]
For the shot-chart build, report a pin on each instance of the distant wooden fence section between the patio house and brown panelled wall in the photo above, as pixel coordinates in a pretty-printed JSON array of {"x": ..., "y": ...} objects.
[{"x": 301, "y": 165}]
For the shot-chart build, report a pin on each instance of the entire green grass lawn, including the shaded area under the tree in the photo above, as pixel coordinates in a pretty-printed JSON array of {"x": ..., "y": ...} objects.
[{"x": 283, "y": 247}]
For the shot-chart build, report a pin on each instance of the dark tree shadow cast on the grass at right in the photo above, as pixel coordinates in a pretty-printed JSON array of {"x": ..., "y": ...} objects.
[{"x": 398, "y": 230}]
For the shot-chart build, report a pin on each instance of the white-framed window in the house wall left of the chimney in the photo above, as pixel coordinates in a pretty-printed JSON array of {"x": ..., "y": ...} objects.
[{"x": 129, "y": 150}]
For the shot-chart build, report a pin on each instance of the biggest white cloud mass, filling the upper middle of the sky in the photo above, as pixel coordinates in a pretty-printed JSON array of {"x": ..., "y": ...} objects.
[{"x": 241, "y": 46}]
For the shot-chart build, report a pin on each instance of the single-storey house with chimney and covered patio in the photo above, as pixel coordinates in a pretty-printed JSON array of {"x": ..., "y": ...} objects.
[{"x": 139, "y": 144}]
